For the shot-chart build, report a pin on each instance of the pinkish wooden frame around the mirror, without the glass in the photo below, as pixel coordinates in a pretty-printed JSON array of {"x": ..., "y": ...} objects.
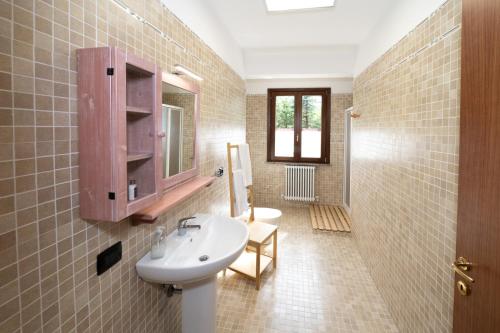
[{"x": 172, "y": 181}]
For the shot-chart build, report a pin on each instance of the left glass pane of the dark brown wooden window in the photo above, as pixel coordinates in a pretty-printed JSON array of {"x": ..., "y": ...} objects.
[{"x": 285, "y": 115}]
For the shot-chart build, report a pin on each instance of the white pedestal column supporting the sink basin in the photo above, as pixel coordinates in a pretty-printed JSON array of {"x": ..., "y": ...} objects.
[{"x": 199, "y": 306}]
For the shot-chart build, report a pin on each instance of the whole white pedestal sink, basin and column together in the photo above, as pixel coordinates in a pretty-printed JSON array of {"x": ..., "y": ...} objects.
[{"x": 192, "y": 261}]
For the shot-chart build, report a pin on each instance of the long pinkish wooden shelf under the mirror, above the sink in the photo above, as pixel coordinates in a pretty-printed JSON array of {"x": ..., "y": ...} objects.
[{"x": 171, "y": 199}]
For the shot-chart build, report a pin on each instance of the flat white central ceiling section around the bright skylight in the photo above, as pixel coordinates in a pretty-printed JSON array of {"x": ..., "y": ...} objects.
[{"x": 348, "y": 23}]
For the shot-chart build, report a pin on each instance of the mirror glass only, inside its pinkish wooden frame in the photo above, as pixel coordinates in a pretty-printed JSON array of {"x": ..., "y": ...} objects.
[{"x": 178, "y": 107}]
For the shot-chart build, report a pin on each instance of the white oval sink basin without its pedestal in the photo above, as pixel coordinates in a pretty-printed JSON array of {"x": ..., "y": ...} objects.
[{"x": 221, "y": 239}]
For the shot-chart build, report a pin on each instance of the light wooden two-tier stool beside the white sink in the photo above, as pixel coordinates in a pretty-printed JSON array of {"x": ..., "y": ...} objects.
[{"x": 253, "y": 264}]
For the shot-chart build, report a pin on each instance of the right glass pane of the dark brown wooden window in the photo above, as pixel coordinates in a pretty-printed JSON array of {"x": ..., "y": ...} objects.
[{"x": 311, "y": 126}]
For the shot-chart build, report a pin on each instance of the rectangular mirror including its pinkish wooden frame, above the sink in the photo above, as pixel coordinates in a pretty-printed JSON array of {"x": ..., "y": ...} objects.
[{"x": 179, "y": 118}]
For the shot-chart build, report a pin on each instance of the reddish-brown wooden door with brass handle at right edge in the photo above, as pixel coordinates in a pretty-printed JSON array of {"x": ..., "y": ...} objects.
[{"x": 478, "y": 231}]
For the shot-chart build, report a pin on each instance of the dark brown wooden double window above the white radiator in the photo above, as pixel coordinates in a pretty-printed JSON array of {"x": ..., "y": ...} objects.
[{"x": 299, "y": 125}]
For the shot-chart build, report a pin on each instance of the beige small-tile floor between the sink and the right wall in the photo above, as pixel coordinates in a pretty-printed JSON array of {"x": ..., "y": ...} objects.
[{"x": 321, "y": 285}]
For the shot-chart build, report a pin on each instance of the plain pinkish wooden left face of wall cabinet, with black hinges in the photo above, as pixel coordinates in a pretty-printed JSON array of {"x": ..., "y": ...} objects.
[{"x": 95, "y": 82}]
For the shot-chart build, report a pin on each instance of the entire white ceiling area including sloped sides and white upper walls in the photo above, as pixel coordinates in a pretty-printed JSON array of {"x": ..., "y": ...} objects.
[{"x": 333, "y": 43}]
